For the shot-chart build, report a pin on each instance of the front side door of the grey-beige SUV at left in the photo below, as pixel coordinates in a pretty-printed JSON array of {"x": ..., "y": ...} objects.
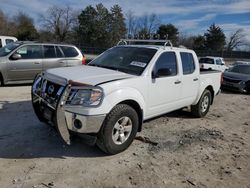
[{"x": 28, "y": 66}]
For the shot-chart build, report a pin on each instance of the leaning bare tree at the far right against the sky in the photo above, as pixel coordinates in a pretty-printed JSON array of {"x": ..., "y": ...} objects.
[{"x": 236, "y": 39}]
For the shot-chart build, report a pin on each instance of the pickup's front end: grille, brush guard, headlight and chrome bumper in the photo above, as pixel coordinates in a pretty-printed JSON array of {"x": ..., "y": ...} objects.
[{"x": 63, "y": 104}]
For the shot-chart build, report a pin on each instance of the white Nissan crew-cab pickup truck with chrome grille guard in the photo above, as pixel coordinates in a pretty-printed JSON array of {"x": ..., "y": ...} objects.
[{"x": 111, "y": 97}]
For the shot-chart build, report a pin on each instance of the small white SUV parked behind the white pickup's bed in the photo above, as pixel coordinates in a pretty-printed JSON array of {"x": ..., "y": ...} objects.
[{"x": 213, "y": 63}]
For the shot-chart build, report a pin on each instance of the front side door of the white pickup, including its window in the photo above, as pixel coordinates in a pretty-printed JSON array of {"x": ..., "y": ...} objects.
[{"x": 164, "y": 92}]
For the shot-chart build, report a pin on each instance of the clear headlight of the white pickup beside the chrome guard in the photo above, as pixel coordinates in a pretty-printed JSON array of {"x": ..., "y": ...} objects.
[{"x": 89, "y": 97}]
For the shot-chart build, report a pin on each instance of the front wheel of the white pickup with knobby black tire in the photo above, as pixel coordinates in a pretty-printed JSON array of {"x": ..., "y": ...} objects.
[{"x": 118, "y": 130}]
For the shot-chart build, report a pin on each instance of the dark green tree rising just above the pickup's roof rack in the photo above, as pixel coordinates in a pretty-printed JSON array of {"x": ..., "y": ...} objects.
[{"x": 170, "y": 32}]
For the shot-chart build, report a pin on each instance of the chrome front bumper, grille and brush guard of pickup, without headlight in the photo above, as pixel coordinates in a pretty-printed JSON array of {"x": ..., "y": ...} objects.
[{"x": 54, "y": 109}]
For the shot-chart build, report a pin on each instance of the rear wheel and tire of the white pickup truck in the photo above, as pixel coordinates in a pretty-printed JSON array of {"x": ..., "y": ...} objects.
[{"x": 202, "y": 107}]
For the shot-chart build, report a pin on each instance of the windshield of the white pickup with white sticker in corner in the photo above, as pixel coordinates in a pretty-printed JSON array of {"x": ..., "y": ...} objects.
[{"x": 131, "y": 60}]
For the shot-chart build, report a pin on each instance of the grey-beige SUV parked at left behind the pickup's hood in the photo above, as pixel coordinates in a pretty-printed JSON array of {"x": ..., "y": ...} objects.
[{"x": 20, "y": 62}]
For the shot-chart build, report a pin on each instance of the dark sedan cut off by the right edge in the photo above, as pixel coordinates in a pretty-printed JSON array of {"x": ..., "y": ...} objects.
[{"x": 237, "y": 78}]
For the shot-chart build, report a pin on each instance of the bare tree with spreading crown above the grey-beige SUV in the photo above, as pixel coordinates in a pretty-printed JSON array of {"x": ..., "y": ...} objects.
[{"x": 59, "y": 21}]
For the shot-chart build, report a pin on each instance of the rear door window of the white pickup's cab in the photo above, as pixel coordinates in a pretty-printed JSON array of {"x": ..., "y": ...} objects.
[{"x": 188, "y": 65}]
